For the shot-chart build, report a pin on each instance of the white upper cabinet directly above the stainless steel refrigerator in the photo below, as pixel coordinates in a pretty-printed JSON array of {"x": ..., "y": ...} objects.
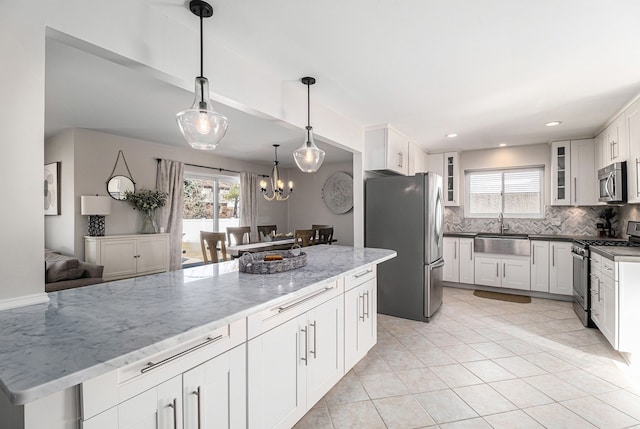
[{"x": 386, "y": 150}]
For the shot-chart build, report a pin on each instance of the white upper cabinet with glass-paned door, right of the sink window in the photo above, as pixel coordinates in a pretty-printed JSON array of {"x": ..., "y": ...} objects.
[{"x": 573, "y": 173}]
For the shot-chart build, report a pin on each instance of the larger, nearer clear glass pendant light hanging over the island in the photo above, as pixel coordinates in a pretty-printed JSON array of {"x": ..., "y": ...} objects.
[{"x": 201, "y": 127}]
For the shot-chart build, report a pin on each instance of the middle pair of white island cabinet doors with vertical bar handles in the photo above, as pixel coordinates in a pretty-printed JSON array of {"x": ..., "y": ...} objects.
[{"x": 291, "y": 366}]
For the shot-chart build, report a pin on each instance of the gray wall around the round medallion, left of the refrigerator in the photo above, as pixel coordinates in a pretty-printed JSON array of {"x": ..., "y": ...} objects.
[{"x": 306, "y": 206}]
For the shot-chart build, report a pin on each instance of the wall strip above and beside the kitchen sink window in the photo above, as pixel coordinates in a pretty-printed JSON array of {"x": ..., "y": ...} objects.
[{"x": 505, "y": 157}]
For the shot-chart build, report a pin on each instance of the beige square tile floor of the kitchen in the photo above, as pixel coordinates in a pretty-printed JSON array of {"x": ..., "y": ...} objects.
[{"x": 483, "y": 363}]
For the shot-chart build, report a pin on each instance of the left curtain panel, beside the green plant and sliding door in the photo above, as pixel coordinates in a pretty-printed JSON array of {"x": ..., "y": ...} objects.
[{"x": 170, "y": 179}]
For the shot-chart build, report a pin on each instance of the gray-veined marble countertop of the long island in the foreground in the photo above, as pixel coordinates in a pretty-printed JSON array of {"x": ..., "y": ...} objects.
[{"x": 85, "y": 332}]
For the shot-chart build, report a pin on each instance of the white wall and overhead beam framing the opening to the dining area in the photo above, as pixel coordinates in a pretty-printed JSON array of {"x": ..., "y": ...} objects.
[{"x": 153, "y": 37}]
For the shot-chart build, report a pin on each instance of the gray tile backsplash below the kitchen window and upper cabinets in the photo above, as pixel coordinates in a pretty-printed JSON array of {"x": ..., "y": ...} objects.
[{"x": 557, "y": 220}]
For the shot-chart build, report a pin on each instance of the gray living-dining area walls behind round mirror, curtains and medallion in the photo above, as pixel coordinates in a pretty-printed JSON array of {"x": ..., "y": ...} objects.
[{"x": 89, "y": 157}]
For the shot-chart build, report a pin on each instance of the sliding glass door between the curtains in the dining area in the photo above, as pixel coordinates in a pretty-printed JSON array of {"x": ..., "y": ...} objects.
[{"x": 201, "y": 195}]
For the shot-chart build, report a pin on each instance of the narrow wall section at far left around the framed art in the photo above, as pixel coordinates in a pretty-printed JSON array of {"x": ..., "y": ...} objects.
[{"x": 58, "y": 229}]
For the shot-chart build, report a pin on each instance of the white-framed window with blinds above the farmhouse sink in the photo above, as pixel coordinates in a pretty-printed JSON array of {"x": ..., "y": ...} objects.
[{"x": 514, "y": 192}]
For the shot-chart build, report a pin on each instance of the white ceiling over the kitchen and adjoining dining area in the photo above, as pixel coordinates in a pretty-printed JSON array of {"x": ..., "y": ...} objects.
[{"x": 492, "y": 71}]
